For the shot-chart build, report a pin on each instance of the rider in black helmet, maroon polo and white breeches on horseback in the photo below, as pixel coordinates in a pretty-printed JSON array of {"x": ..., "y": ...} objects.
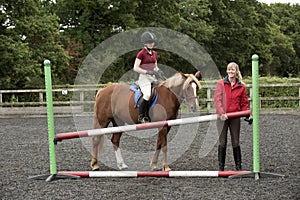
[{"x": 146, "y": 64}]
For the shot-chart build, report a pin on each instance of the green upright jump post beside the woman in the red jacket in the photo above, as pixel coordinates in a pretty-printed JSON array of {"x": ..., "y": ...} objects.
[{"x": 255, "y": 114}]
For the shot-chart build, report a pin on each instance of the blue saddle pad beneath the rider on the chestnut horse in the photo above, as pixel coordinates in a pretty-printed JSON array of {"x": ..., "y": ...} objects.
[{"x": 138, "y": 95}]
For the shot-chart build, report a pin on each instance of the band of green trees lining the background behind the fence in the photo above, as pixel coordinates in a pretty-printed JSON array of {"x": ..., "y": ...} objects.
[{"x": 65, "y": 32}]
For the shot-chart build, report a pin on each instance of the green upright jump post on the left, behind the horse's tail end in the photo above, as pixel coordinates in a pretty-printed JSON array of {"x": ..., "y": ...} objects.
[{"x": 50, "y": 117}]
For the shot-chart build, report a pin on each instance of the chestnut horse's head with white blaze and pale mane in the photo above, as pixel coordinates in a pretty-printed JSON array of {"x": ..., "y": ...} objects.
[{"x": 185, "y": 87}]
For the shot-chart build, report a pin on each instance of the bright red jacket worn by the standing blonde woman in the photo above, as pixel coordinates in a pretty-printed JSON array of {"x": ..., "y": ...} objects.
[{"x": 230, "y": 99}]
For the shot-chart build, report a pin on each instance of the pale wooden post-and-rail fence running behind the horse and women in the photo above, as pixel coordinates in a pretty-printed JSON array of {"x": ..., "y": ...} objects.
[{"x": 83, "y": 99}]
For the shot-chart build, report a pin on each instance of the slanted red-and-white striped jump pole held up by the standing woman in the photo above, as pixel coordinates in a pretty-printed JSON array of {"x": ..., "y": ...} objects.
[{"x": 135, "y": 127}]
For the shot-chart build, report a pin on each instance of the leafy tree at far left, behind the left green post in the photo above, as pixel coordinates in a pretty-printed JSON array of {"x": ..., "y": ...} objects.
[{"x": 28, "y": 36}]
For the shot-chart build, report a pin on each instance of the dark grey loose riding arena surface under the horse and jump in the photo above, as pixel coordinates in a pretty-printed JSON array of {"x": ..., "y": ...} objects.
[{"x": 24, "y": 153}]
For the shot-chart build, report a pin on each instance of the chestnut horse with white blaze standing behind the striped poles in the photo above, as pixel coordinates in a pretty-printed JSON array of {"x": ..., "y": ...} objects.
[{"x": 115, "y": 104}]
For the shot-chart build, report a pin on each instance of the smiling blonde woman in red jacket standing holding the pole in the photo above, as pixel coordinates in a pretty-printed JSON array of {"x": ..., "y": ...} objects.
[{"x": 230, "y": 96}]
